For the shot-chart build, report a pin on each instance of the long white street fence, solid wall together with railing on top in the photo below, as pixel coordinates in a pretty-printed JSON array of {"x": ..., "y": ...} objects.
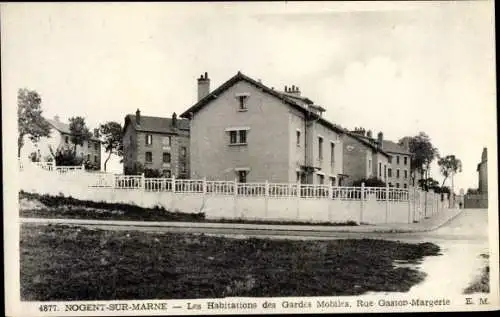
[{"x": 234, "y": 200}]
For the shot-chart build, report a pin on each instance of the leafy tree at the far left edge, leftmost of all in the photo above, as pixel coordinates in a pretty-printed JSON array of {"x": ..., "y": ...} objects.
[{"x": 29, "y": 118}]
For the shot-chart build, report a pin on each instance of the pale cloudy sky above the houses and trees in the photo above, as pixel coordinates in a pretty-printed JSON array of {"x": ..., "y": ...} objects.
[{"x": 395, "y": 67}]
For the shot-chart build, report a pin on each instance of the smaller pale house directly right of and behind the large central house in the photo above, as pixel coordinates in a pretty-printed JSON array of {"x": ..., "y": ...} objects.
[{"x": 364, "y": 157}]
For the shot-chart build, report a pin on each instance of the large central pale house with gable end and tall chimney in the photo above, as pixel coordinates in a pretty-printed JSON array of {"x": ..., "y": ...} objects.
[{"x": 246, "y": 131}]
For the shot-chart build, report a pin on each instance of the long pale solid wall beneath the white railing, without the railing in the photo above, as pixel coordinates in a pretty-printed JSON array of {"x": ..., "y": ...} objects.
[{"x": 217, "y": 206}]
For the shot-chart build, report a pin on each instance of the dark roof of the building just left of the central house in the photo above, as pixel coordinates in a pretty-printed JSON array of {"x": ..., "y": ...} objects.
[{"x": 155, "y": 124}]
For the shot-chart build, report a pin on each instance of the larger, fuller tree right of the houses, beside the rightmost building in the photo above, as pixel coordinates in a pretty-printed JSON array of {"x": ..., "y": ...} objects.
[{"x": 423, "y": 153}]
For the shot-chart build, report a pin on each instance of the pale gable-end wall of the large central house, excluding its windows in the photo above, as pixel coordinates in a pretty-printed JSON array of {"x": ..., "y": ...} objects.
[{"x": 266, "y": 152}]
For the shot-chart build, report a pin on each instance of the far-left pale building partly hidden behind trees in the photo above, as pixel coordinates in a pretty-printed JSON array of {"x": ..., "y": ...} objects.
[{"x": 60, "y": 138}]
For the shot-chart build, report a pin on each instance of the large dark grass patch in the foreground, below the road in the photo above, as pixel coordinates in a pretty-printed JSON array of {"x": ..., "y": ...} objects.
[{"x": 69, "y": 263}]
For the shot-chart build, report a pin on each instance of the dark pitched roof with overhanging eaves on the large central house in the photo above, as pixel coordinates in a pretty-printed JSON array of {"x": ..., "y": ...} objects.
[{"x": 286, "y": 98}]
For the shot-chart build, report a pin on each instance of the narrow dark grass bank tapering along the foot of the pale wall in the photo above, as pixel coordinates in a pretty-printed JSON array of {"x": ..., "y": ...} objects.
[{"x": 47, "y": 206}]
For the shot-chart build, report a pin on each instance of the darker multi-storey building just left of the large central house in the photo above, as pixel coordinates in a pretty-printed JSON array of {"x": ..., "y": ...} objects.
[{"x": 157, "y": 144}]
